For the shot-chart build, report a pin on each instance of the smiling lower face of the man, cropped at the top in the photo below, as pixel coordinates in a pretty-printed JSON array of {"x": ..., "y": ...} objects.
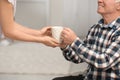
[{"x": 106, "y": 7}]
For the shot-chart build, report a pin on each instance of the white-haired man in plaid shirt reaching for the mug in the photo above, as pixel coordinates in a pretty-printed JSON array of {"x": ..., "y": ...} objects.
[{"x": 101, "y": 47}]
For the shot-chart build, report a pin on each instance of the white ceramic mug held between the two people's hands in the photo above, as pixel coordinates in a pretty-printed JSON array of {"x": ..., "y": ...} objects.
[{"x": 56, "y": 32}]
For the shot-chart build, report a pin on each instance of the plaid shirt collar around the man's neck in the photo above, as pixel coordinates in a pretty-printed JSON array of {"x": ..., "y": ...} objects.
[{"x": 113, "y": 25}]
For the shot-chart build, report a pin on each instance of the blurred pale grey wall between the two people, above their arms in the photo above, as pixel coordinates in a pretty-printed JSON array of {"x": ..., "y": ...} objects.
[{"x": 76, "y": 14}]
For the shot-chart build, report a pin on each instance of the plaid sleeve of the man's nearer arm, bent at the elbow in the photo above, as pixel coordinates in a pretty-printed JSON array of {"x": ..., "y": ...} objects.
[{"x": 101, "y": 60}]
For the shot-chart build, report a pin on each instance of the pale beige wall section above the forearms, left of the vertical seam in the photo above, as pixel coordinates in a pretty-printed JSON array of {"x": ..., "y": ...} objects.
[{"x": 33, "y": 13}]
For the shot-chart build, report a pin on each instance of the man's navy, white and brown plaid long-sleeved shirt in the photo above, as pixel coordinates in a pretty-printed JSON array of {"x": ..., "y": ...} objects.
[{"x": 100, "y": 49}]
